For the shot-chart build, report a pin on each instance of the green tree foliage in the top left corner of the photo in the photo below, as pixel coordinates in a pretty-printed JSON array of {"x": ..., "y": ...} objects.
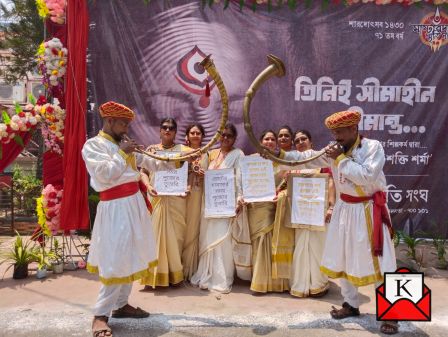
[{"x": 23, "y": 31}]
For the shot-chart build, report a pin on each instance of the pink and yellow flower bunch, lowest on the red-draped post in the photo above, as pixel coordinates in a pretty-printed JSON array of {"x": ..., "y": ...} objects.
[{"x": 48, "y": 208}]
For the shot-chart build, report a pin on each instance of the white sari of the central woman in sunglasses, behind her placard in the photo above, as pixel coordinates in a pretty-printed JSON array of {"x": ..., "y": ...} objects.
[{"x": 216, "y": 250}]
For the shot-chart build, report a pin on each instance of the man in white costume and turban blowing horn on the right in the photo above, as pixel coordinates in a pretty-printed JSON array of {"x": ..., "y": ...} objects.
[{"x": 360, "y": 249}]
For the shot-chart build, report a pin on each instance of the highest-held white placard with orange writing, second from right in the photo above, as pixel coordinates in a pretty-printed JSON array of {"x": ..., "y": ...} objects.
[{"x": 257, "y": 175}]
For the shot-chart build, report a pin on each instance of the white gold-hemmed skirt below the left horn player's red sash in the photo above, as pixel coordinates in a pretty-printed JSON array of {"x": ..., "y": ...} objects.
[{"x": 122, "y": 246}]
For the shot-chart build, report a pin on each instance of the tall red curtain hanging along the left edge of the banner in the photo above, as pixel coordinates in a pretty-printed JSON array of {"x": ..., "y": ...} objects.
[{"x": 74, "y": 209}]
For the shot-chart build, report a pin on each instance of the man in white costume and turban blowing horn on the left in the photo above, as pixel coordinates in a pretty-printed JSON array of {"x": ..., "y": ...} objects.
[{"x": 122, "y": 246}]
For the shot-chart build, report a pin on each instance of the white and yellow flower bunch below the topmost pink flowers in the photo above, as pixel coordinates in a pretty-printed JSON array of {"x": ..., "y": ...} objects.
[{"x": 52, "y": 59}]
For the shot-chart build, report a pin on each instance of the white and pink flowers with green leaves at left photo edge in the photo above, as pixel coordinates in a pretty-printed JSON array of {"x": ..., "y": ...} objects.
[{"x": 11, "y": 125}]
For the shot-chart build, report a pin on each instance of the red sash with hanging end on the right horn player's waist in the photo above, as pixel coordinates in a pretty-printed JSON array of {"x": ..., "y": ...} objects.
[{"x": 380, "y": 216}]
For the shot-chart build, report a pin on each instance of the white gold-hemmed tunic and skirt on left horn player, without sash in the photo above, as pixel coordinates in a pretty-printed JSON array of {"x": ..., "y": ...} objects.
[{"x": 122, "y": 245}]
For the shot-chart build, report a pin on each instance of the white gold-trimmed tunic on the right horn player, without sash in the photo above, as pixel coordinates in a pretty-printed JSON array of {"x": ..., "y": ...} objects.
[{"x": 348, "y": 252}]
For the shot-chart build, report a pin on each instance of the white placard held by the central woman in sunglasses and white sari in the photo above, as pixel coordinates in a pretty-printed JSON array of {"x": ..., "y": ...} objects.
[{"x": 219, "y": 194}]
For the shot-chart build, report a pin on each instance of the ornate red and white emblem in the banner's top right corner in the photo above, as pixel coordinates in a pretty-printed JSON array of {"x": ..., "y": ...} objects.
[{"x": 433, "y": 30}]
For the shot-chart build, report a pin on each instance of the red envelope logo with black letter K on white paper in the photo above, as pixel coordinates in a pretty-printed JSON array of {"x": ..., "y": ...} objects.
[{"x": 403, "y": 297}]
